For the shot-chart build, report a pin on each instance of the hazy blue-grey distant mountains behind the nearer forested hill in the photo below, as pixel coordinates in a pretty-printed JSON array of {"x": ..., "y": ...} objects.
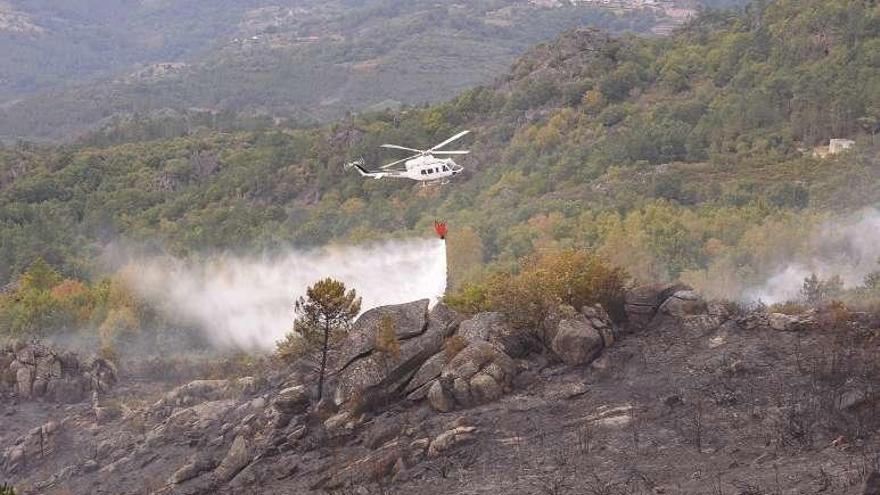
[{"x": 70, "y": 65}]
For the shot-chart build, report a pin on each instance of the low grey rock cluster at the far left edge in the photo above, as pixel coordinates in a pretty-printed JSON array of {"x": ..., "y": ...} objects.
[{"x": 38, "y": 371}]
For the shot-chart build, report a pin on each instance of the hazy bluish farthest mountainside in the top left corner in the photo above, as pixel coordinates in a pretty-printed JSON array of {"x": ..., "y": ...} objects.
[{"x": 47, "y": 44}]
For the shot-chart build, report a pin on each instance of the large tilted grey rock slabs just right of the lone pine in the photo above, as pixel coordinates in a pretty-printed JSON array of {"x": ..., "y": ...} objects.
[{"x": 374, "y": 377}]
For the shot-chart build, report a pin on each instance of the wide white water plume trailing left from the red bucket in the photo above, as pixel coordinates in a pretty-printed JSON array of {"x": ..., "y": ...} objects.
[{"x": 247, "y": 302}]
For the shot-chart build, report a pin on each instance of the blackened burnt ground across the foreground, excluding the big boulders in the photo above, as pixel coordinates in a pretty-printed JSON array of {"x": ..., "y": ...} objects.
[{"x": 683, "y": 407}]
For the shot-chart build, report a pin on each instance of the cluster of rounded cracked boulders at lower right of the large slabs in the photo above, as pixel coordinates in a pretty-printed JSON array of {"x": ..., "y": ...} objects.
[{"x": 480, "y": 373}]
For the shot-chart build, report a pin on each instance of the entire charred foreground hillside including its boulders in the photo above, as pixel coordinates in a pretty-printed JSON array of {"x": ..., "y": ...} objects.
[{"x": 687, "y": 397}]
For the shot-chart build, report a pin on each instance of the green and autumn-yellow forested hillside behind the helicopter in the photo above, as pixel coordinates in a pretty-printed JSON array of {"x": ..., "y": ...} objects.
[{"x": 682, "y": 158}]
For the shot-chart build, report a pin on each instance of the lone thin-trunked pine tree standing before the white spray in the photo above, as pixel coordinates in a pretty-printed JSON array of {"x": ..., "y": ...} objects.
[{"x": 324, "y": 315}]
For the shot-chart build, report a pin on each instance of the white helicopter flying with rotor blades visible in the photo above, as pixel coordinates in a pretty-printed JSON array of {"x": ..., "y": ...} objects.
[{"x": 423, "y": 166}]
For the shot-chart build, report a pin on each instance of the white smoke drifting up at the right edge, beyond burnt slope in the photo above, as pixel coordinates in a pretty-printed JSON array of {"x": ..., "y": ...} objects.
[{"x": 849, "y": 248}]
